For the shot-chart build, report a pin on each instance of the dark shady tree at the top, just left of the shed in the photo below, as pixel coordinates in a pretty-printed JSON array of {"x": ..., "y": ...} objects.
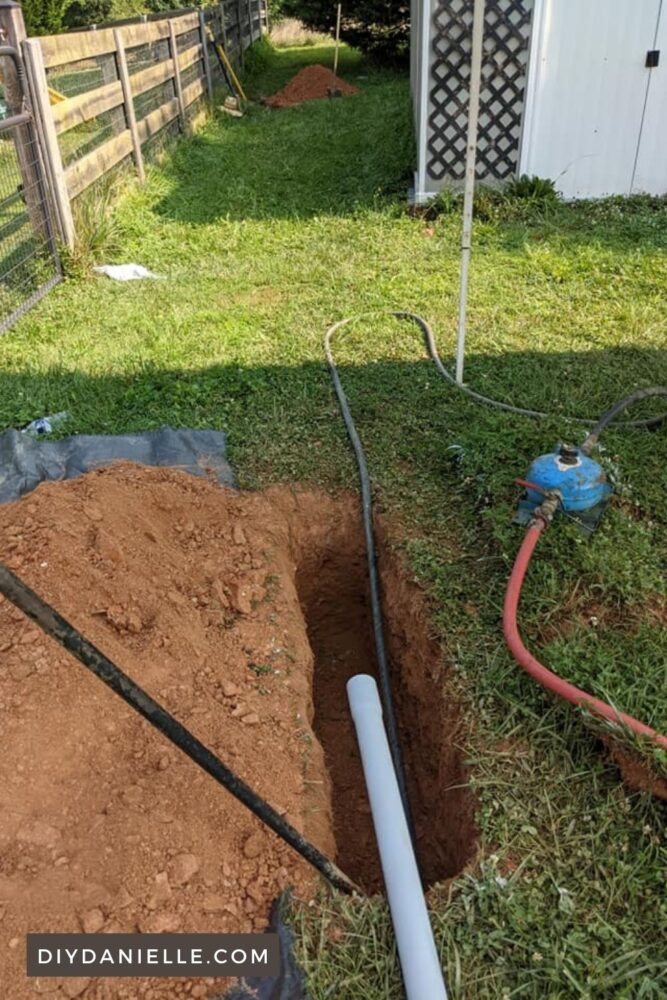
[{"x": 379, "y": 27}]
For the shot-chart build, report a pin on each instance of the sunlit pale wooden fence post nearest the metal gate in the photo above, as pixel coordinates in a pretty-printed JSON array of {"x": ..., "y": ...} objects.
[{"x": 41, "y": 105}]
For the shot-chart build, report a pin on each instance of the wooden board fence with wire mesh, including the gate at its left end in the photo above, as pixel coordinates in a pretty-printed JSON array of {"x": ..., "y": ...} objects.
[{"x": 102, "y": 100}]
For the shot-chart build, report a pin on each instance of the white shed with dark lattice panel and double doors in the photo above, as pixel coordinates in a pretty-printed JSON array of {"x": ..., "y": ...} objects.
[{"x": 572, "y": 90}]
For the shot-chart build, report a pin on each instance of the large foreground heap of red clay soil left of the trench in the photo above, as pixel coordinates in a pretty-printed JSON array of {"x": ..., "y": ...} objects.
[{"x": 104, "y": 826}]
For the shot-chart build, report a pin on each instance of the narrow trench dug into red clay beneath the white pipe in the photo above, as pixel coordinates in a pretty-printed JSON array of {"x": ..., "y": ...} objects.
[{"x": 332, "y": 586}]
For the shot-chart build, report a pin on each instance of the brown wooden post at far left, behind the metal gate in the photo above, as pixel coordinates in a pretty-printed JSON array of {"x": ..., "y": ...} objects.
[{"x": 12, "y": 29}]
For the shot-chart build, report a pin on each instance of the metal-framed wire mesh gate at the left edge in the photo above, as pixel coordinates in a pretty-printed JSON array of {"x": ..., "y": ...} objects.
[{"x": 29, "y": 263}]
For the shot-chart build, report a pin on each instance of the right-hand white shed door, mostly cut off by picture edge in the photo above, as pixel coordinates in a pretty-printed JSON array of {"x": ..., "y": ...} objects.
[{"x": 651, "y": 167}]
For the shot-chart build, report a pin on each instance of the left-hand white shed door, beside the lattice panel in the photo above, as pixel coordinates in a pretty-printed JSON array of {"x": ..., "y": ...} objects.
[{"x": 587, "y": 93}]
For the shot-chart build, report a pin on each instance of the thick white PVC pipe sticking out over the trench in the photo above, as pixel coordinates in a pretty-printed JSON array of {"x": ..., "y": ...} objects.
[{"x": 420, "y": 964}]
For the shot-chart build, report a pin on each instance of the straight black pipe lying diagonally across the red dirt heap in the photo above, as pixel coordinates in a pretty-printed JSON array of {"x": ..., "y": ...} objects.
[{"x": 54, "y": 625}]
